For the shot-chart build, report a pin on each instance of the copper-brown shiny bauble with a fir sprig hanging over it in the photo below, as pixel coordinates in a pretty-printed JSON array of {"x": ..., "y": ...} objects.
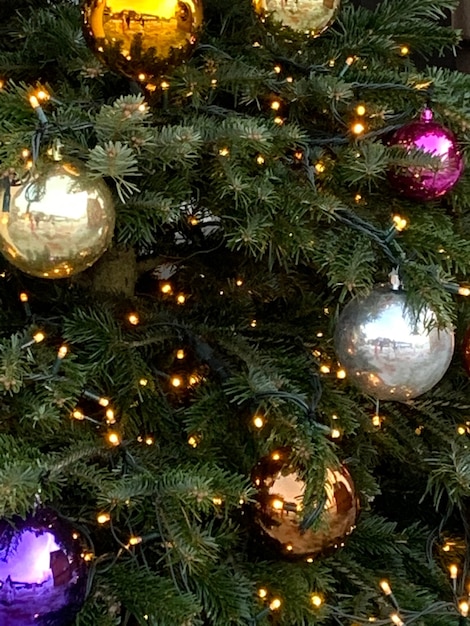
[{"x": 280, "y": 506}]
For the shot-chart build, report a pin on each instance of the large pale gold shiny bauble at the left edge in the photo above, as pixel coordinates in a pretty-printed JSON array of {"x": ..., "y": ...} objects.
[{"x": 57, "y": 223}]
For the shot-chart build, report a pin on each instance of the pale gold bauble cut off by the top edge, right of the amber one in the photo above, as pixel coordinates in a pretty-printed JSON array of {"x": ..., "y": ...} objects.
[{"x": 305, "y": 16}]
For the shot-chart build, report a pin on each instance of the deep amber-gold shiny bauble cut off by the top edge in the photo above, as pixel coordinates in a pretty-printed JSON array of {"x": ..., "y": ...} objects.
[{"x": 142, "y": 39}]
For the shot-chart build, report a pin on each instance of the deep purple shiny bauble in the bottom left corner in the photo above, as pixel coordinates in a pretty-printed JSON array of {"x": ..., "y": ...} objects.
[{"x": 43, "y": 574}]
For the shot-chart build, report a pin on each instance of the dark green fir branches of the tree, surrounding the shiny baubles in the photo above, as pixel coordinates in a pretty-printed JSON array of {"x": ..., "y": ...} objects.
[{"x": 266, "y": 222}]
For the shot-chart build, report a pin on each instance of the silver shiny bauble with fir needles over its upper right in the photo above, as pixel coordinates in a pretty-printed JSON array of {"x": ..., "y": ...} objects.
[{"x": 386, "y": 351}]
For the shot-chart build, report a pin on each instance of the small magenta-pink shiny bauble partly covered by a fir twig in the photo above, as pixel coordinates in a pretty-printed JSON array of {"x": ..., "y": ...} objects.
[{"x": 421, "y": 183}]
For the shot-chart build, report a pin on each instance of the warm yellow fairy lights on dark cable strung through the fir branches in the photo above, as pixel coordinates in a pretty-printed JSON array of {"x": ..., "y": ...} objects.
[{"x": 387, "y": 241}]
